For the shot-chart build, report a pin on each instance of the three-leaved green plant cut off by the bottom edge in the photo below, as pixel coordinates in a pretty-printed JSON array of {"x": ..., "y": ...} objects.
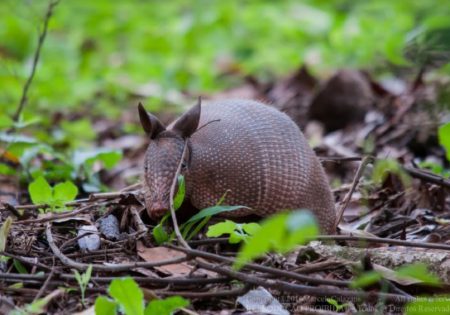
[{"x": 127, "y": 296}]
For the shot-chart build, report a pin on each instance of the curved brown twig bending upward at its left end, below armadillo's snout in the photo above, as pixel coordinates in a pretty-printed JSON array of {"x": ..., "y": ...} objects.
[{"x": 111, "y": 268}]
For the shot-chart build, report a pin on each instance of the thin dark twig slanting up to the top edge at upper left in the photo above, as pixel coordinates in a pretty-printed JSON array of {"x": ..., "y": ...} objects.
[{"x": 23, "y": 100}]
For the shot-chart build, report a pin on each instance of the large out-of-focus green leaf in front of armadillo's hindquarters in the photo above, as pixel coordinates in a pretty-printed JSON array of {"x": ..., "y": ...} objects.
[{"x": 281, "y": 232}]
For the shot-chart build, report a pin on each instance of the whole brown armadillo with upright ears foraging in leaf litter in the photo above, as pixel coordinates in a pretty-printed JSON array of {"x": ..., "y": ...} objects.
[{"x": 248, "y": 149}]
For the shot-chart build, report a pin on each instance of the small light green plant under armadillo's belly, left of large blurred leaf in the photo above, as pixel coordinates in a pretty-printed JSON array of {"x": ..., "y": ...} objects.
[{"x": 237, "y": 232}]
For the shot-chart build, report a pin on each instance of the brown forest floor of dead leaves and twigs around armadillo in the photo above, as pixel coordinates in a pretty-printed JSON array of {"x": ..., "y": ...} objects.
[{"x": 380, "y": 148}]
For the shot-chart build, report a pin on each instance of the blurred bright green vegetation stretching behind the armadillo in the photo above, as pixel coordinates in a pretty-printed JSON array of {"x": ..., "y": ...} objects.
[{"x": 100, "y": 57}]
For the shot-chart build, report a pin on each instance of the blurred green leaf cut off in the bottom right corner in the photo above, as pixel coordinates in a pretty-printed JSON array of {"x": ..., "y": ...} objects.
[{"x": 436, "y": 305}]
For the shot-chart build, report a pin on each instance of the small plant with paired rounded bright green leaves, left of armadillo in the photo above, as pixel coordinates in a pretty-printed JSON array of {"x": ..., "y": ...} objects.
[{"x": 42, "y": 193}]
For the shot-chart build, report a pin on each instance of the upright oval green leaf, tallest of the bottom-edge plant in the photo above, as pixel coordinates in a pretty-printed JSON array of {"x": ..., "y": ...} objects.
[{"x": 128, "y": 295}]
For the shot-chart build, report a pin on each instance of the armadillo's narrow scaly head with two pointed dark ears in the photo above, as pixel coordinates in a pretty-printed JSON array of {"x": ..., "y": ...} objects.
[{"x": 163, "y": 156}]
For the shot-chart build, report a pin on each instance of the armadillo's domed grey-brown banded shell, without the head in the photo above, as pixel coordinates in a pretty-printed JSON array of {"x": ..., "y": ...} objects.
[{"x": 261, "y": 157}]
